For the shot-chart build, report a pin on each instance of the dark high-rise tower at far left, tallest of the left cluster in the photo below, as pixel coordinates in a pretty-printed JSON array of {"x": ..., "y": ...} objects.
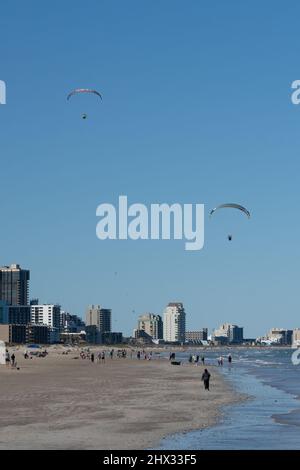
[{"x": 14, "y": 284}]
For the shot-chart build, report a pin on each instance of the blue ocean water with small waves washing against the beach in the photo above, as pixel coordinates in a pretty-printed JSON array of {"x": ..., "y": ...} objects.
[{"x": 270, "y": 419}]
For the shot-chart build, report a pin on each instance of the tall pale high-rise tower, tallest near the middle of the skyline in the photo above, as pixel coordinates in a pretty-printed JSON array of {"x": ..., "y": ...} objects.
[{"x": 174, "y": 322}]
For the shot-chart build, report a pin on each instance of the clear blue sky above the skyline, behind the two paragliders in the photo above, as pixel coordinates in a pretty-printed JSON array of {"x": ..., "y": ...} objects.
[{"x": 196, "y": 109}]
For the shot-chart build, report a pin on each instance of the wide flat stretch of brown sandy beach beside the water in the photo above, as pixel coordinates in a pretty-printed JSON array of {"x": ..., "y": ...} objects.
[{"x": 60, "y": 402}]
